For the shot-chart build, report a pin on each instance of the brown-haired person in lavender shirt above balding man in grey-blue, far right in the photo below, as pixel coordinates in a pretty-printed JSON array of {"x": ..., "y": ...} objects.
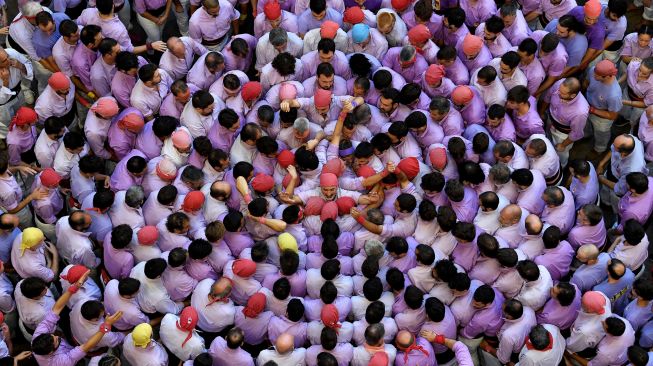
[{"x": 589, "y": 228}]
